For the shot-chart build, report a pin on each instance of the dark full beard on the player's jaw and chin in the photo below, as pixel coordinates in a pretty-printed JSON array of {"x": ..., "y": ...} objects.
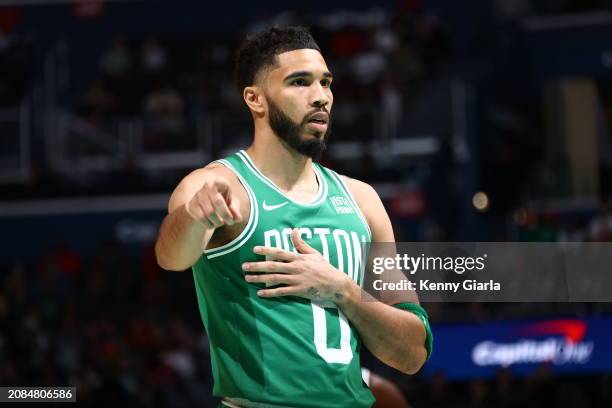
[{"x": 290, "y": 133}]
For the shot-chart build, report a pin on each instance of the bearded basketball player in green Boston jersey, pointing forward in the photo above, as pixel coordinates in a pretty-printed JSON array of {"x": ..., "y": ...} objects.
[{"x": 274, "y": 241}]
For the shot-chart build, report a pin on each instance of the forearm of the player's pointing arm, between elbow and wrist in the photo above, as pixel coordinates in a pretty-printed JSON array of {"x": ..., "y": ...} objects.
[{"x": 180, "y": 240}]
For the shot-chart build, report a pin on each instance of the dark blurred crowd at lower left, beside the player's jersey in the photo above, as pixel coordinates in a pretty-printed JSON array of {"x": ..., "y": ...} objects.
[{"x": 112, "y": 325}]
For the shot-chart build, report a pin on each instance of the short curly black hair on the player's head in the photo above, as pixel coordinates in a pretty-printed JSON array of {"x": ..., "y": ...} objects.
[{"x": 259, "y": 50}]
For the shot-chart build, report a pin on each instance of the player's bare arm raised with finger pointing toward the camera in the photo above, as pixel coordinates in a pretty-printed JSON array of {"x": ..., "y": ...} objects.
[{"x": 207, "y": 208}]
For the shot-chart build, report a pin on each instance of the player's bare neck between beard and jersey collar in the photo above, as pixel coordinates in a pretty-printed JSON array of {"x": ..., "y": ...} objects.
[{"x": 285, "y": 167}]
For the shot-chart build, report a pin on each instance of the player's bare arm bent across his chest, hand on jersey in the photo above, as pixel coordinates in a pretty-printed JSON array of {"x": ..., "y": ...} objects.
[{"x": 394, "y": 336}]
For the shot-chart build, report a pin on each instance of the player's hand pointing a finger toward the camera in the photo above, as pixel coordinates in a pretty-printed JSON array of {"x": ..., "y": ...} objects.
[{"x": 214, "y": 205}]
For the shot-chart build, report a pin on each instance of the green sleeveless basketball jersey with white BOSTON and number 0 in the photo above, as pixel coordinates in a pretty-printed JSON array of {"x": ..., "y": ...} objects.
[{"x": 285, "y": 351}]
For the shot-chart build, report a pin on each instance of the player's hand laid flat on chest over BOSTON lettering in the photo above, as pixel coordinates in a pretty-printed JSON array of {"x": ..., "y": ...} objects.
[{"x": 306, "y": 274}]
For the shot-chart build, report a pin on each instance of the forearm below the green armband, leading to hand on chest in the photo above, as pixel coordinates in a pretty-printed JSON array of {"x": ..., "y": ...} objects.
[{"x": 396, "y": 337}]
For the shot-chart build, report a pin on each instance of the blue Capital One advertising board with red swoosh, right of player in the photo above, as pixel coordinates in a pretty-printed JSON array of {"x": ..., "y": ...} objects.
[{"x": 566, "y": 345}]
